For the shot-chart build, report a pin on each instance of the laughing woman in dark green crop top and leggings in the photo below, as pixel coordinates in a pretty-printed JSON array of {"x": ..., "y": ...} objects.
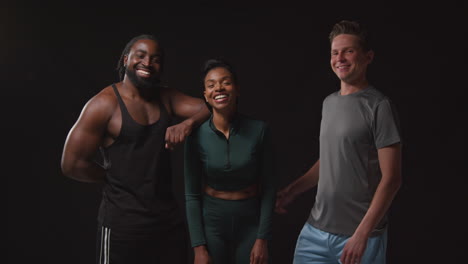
[{"x": 229, "y": 180}]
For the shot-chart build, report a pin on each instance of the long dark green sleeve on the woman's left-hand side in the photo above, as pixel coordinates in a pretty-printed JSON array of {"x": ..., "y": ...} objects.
[{"x": 193, "y": 181}]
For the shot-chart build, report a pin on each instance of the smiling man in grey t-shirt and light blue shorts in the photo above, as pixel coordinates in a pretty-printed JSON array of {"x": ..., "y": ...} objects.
[{"x": 359, "y": 164}]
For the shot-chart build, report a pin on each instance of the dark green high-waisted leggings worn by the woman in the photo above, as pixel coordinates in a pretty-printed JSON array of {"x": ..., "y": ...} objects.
[{"x": 230, "y": 228}]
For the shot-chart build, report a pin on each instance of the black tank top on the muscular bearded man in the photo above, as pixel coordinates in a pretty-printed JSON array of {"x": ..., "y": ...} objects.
[{"x": 138, "y": 188}]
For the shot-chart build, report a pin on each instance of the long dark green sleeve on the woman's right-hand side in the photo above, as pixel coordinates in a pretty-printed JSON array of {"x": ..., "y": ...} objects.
[{"x": 268, "y": 183}]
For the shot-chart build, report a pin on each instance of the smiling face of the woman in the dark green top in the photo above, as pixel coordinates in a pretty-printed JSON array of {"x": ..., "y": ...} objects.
[{"x": 220, "y": 89}]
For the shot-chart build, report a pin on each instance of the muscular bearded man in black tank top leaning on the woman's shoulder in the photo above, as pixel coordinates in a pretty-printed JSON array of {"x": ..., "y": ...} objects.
[{"x": 129, "y": 123}]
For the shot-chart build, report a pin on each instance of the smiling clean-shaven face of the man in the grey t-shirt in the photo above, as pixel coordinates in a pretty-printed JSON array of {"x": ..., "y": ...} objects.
[{"x": 348, "y": 60}]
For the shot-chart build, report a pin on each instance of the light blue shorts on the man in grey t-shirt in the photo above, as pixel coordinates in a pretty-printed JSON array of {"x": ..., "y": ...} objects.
[{"x": 319, "y": 247}]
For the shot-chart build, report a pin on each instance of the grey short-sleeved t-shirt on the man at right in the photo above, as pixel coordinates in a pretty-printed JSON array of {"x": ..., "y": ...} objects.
[{"x": 353, "y": 128}]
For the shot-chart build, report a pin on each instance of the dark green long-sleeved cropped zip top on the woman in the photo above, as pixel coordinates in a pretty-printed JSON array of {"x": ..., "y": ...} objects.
[{"x": 244, "y": 159}]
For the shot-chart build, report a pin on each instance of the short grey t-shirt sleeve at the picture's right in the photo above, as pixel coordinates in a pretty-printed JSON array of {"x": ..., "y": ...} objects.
[{"x": 386, "y": 127}]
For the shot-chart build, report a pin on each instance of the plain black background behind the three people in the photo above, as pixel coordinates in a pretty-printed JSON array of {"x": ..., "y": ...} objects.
[{"x": 52, "y": 62}]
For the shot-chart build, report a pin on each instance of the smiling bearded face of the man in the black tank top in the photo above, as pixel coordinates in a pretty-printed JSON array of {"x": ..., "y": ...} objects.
[{"x": 143, "y": 63}]
